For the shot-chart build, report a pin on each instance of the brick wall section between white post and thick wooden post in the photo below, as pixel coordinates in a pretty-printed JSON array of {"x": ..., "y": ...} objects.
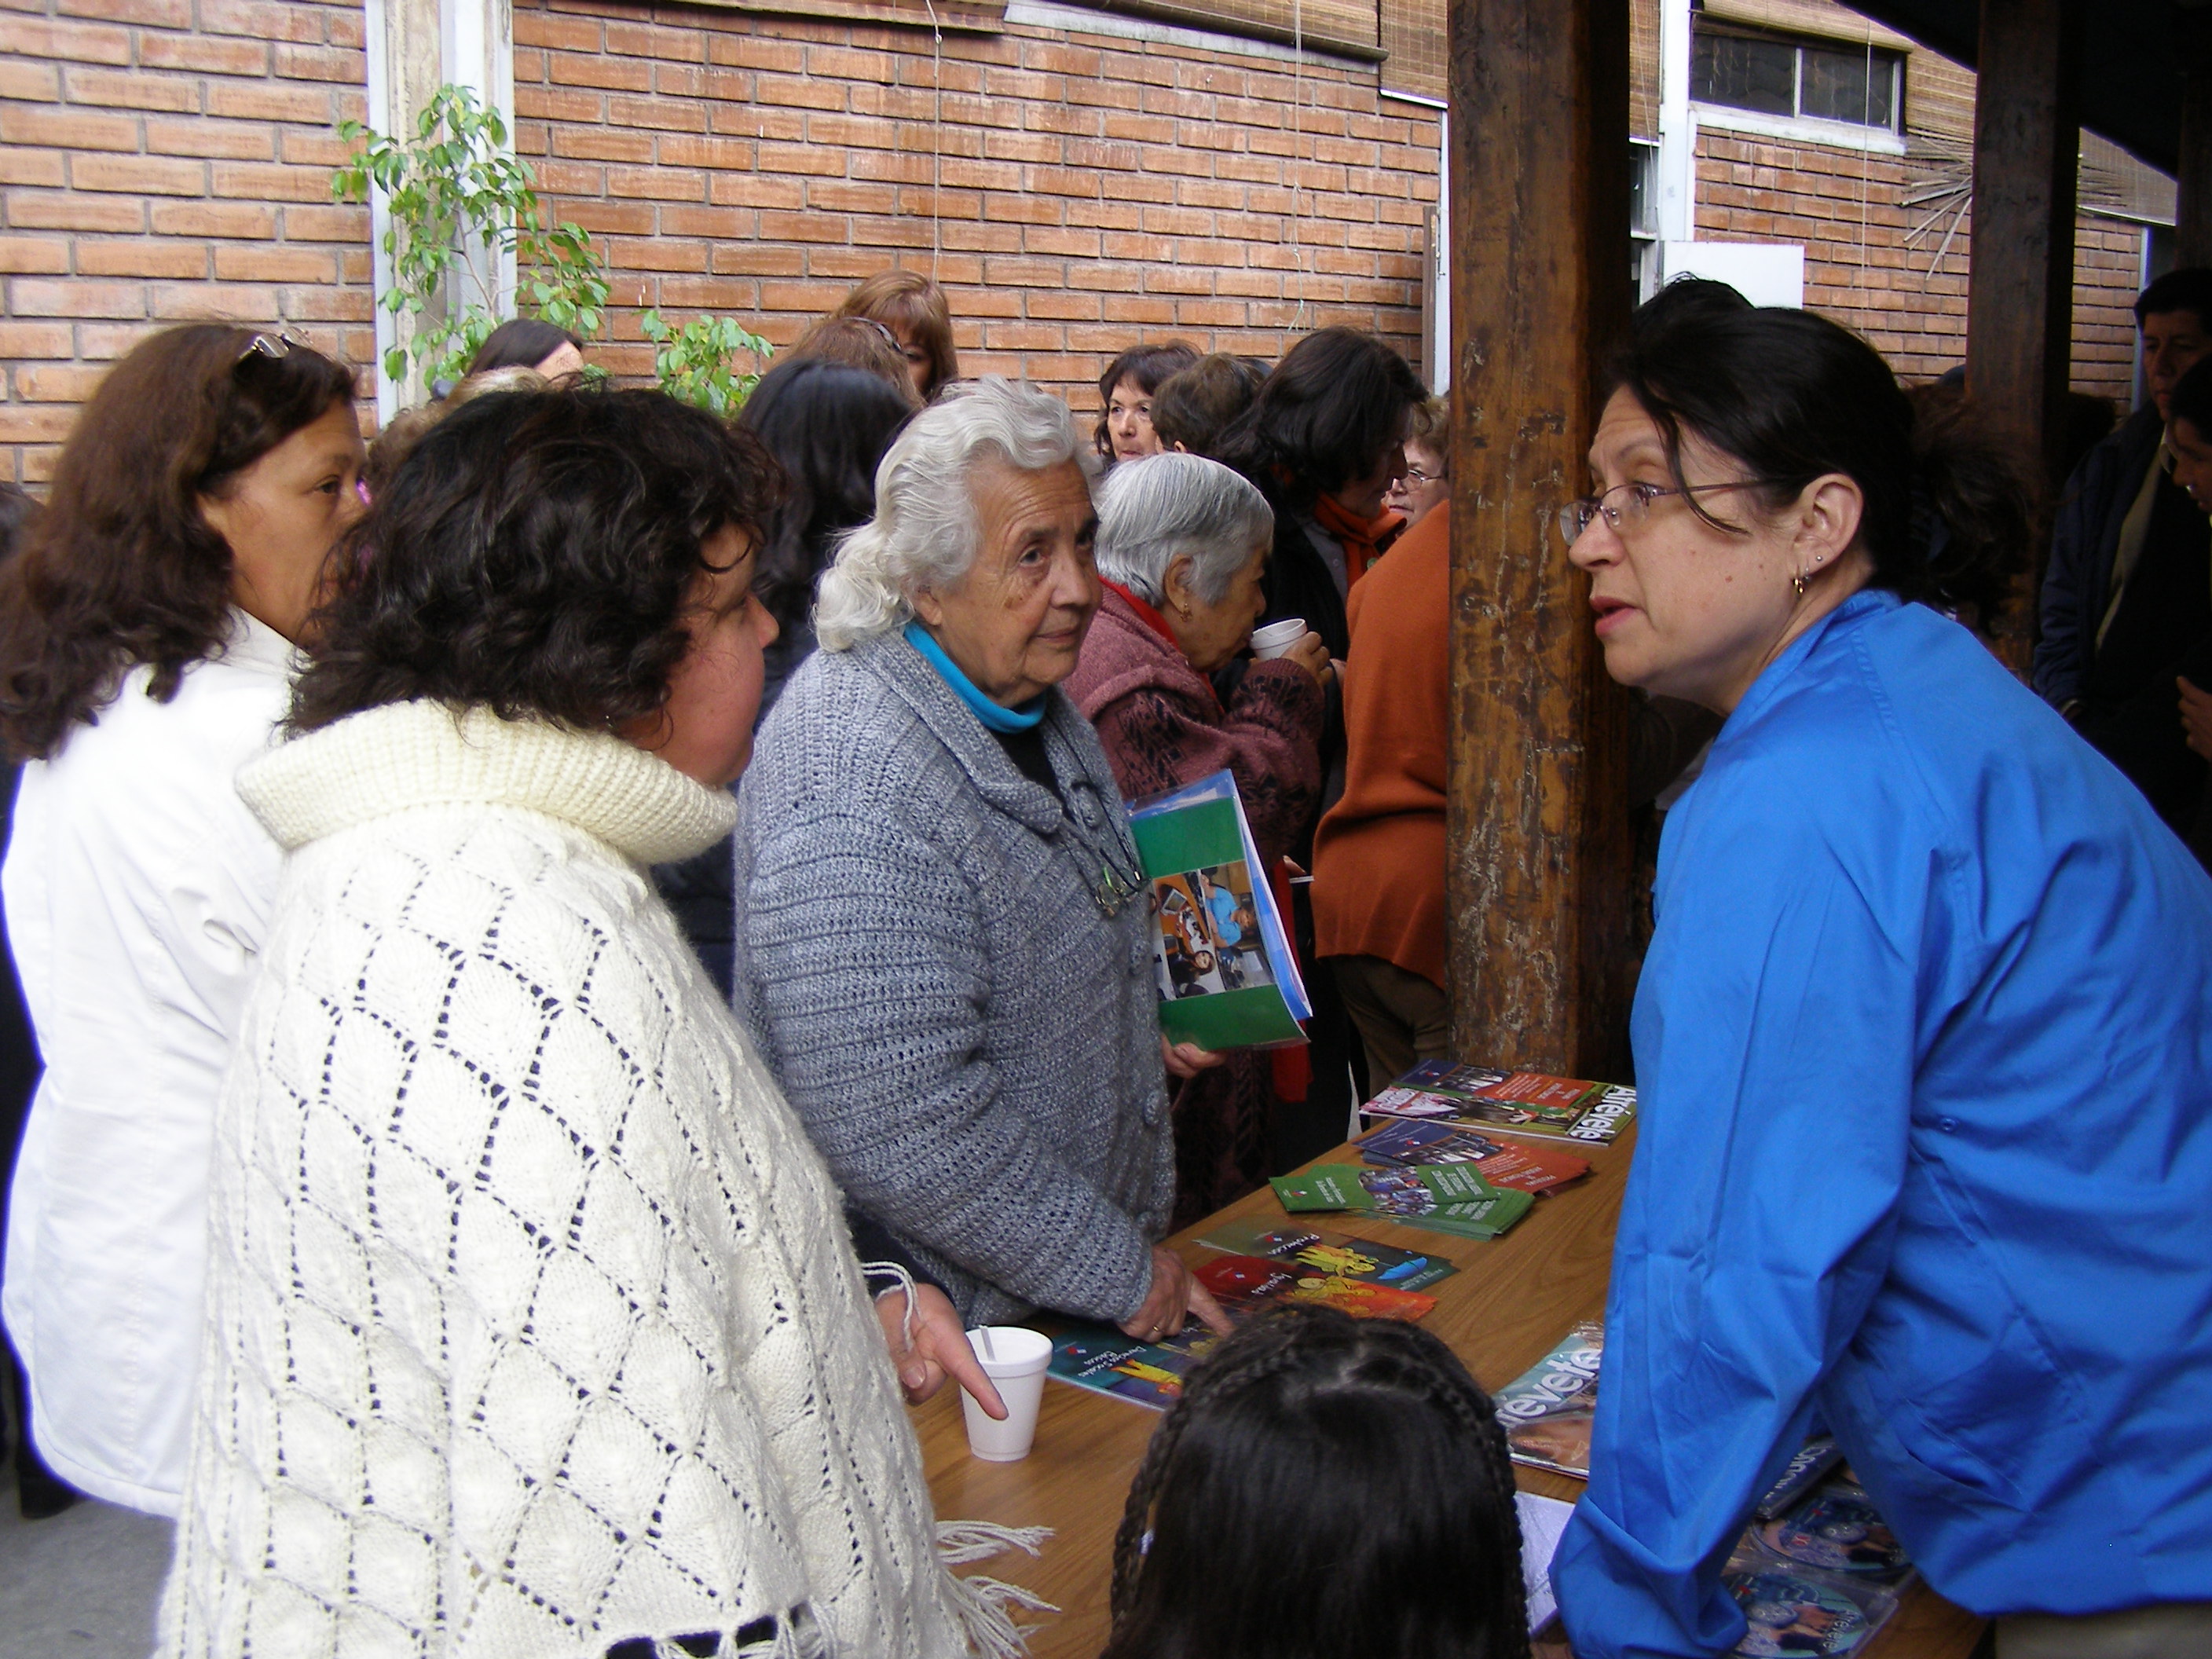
[{"x": 1092, "y": 191}]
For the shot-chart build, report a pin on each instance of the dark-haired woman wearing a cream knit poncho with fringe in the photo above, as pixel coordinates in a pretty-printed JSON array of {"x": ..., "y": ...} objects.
[{"x": 532, "y": 1319}]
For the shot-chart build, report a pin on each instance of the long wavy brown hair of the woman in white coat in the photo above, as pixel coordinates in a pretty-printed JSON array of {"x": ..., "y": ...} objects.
[{"x": 123, "y": 570}]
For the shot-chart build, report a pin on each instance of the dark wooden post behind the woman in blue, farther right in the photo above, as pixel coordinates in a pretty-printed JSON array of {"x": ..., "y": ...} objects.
[{"x": 2027, "y": 143}]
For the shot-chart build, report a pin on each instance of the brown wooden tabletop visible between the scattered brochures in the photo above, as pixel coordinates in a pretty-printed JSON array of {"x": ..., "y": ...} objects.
[{"x": 1505, "y": 1308}]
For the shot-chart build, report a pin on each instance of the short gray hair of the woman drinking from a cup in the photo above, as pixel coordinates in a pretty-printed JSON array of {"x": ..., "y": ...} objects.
[{"x": 1162, "y": 508}]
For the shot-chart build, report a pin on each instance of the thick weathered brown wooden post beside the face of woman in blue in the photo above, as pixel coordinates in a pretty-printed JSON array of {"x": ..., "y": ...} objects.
[{"x": 1538, "y": 881}]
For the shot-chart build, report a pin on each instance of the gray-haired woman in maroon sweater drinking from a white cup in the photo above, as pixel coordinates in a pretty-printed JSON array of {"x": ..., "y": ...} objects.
[{"x": 1182, "y": 550}]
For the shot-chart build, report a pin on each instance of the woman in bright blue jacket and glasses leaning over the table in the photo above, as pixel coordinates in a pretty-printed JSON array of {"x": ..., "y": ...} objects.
[{"x": 1926, "y": 1036}]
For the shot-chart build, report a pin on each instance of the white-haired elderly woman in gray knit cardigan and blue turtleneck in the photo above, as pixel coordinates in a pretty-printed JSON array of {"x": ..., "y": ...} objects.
[{"x": 943, "y": 935}]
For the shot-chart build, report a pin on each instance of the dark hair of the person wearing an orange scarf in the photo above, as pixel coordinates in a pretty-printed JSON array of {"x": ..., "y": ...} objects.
[{"x": 1328, "y": 415}]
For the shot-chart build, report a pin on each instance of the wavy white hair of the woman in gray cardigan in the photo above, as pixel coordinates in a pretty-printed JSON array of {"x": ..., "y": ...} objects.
[{"x": 926, "y": 532}]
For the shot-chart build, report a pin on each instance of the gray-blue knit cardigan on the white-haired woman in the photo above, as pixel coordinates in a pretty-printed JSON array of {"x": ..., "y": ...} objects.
[{"x": 970, "y": 1041}]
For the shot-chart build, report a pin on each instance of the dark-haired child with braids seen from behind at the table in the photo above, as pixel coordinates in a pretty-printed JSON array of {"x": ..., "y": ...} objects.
[{"x": 1324, "y": 1488}]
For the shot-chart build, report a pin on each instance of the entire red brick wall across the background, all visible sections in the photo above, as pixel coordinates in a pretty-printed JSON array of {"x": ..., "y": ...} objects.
[{"x": 171, "y": 158}]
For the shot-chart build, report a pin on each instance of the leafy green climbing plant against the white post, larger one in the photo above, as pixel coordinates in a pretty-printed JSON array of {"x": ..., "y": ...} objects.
[{"x": 459, "y": 200}]
